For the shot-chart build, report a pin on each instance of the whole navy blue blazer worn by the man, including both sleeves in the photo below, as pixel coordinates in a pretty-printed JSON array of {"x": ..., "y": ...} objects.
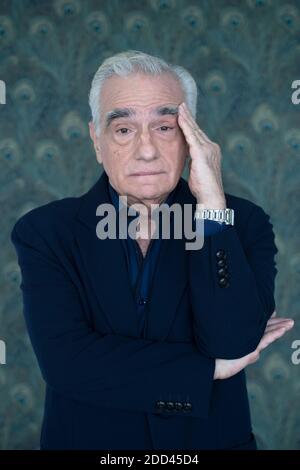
[{"x": 108, "y": 386}]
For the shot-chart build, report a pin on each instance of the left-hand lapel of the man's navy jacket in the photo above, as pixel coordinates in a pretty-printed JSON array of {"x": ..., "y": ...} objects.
[{"x": 105, "y": 264}]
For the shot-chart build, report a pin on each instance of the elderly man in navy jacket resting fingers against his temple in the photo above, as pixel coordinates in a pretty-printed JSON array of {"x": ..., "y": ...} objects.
[{"x": 142, "y": 343}]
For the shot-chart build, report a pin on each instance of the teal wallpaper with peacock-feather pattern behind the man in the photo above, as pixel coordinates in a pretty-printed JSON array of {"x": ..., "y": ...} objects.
[{"x": 244, "y": 56}]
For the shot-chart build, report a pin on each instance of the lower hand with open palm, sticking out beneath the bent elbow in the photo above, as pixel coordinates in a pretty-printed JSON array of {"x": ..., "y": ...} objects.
[{"x": 276, "y": 327}]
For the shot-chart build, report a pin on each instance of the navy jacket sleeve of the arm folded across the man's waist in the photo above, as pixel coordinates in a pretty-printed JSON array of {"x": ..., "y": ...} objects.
[{"x": 107, "y": 370}]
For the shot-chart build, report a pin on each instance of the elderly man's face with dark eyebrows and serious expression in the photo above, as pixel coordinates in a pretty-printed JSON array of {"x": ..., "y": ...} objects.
[{"x": 142, "y": 151}]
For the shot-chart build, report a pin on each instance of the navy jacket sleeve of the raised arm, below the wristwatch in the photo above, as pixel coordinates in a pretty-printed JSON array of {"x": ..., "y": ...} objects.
[{"x": 232, "y": 288}]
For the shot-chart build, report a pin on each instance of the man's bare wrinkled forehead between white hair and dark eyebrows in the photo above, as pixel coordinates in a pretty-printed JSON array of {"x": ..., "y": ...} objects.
[{"x": 140, "y": 92}]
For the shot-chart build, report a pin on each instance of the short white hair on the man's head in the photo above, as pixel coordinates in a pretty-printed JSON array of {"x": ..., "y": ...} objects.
[{"x": 132, "y": 61}]
